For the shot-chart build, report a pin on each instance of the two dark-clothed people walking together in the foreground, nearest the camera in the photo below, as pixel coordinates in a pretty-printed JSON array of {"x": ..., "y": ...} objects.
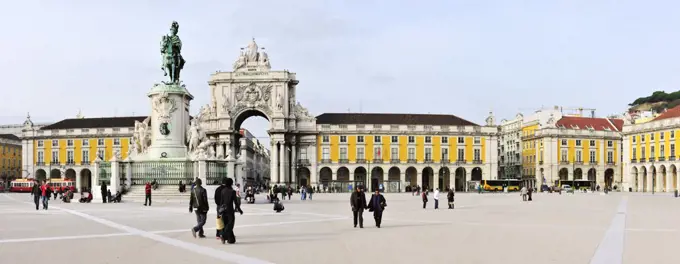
[{"x": 228, "y": 204}]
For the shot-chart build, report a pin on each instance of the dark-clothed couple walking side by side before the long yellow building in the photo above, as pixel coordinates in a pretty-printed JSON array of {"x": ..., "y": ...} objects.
[{"x": 358, "y": 203}]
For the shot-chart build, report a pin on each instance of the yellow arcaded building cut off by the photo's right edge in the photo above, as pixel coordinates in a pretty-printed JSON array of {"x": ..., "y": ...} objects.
[{"x": 649, "y": 156}]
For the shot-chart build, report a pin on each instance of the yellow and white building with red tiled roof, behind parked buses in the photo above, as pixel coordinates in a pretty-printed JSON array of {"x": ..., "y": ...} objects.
[{"x": 583, "y": 149}]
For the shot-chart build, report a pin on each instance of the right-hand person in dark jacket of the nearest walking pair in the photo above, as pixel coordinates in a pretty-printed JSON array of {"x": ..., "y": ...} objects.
[{"x": 229, "y": 205}]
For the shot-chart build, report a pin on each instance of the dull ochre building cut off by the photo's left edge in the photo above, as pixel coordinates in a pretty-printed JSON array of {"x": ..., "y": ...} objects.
[{"x": 10, "y": 157}]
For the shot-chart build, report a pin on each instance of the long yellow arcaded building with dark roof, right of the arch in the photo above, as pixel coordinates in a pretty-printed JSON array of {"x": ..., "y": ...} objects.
[{"x": 399, "y": 150}]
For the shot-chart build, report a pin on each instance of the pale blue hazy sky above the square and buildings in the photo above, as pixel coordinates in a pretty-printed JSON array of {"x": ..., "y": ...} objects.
[{"x": 453, "y": 57}]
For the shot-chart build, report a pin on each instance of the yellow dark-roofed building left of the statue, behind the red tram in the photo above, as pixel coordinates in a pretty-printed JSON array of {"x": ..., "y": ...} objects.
[{"x": 67, "y": 149}]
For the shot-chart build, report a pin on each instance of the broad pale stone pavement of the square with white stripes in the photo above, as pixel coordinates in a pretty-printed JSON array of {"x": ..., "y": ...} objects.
[{"x": 487, "y": 228}]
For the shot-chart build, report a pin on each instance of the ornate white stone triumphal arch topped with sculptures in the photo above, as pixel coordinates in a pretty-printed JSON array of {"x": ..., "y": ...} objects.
[{"x": 253, "y": 89}]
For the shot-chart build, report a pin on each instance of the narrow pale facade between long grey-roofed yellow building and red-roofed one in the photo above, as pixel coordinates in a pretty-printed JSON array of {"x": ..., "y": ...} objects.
[{"x": 510, "y": 148}]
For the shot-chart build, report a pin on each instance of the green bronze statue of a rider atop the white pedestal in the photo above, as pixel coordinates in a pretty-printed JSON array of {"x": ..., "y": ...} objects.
[{"x": 171, "y": 47}]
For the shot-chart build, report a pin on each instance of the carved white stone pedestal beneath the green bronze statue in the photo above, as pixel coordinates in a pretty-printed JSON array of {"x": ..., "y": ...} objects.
[{"x": 169, "y": 121}]
